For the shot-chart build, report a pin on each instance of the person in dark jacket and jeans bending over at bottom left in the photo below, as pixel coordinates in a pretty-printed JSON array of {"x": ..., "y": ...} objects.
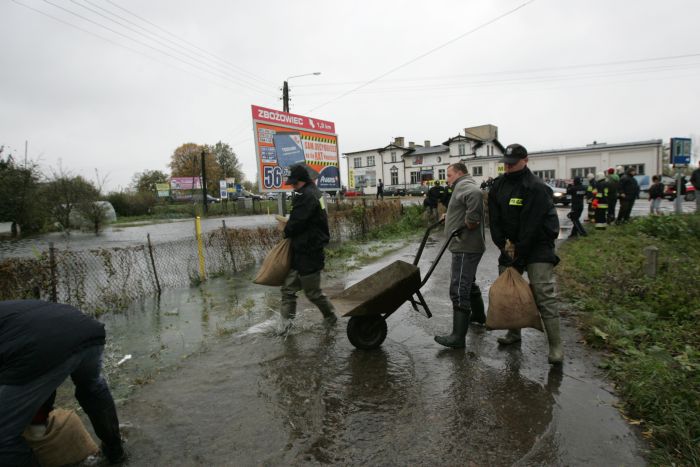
[{"x": 41, "y": 344}]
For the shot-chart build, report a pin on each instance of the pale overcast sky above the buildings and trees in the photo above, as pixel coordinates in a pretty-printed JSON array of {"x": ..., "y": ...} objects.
[{"x": 120, "y": 96}]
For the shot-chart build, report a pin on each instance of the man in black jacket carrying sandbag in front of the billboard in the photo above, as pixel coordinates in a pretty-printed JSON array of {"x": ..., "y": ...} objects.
[{"x": 308, "y": 229}]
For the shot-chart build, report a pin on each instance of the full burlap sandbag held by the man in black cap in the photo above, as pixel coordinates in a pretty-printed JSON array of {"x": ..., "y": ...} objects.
[{"x": 511, "y": 303}]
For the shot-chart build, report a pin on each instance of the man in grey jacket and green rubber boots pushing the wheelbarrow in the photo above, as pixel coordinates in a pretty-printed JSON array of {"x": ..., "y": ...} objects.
[{"x": 466, "y": 214}]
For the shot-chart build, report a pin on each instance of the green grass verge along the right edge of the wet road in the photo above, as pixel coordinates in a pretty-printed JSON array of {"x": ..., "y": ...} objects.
[{"x": 648, "y": 327}]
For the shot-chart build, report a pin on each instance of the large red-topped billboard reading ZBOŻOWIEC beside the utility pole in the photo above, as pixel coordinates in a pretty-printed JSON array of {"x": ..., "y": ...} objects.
[{"x": 283, "y": 139}]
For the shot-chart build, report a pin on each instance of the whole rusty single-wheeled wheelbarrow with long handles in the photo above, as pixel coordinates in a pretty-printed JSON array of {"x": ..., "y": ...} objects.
[{"x": 371, "y": 301}]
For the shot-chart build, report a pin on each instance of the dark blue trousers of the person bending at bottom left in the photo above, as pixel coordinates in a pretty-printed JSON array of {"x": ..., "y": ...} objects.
[{"x": 19, "y": 403}]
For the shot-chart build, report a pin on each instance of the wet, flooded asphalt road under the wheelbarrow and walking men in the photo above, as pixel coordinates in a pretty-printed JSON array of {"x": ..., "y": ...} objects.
[{"x": 257, "y": 399}]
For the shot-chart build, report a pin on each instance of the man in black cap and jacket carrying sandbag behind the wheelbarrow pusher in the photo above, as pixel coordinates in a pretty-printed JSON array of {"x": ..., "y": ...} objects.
[{"x": 521, "y": 210}]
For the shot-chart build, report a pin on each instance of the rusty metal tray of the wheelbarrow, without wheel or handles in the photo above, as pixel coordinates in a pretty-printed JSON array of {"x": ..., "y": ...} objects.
[{"x": 382, "y": 292}]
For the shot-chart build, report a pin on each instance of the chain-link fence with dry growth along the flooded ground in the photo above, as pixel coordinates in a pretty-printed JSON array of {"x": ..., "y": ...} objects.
[{"x": 109, "y": 279}]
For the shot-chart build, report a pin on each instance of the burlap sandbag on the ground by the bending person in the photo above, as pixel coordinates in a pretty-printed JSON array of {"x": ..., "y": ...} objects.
[{"x": 66, "y": 441}]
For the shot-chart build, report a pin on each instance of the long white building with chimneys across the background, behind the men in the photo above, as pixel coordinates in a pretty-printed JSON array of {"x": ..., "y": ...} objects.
[{"x": 415, "y": 165}]
